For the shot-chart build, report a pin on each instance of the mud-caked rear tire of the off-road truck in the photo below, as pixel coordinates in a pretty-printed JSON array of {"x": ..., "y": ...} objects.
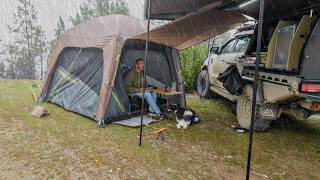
[{"x": 244, "y": 107}]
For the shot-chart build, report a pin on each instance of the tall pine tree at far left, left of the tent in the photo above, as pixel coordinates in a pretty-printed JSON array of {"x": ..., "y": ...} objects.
[{"x": 29, "y": 43}]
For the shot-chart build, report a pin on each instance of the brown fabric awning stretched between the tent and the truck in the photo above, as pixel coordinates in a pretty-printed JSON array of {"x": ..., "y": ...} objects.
[{"x": 195, "y": 28}]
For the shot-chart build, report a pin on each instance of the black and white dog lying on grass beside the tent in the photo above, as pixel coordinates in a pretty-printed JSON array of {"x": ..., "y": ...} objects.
[{"x": 185, "y": 117}]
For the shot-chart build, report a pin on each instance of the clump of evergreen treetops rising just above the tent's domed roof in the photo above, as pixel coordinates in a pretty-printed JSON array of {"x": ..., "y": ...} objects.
[{"x": 97, "y": 8}]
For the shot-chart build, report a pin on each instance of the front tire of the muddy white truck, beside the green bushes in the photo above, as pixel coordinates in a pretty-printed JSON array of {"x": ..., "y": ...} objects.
[{"x": 203, "y": 85}]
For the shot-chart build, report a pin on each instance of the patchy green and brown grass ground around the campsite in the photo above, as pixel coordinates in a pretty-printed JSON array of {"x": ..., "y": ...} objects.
[{"x": 65, "y": 145}]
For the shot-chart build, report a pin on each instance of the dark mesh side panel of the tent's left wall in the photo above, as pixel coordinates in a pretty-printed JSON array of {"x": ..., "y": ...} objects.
[{"x": 76, "y": 80}]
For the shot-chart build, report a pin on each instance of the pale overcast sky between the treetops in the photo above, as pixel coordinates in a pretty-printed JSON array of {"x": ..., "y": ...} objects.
[{"x": 49, "y": 12}]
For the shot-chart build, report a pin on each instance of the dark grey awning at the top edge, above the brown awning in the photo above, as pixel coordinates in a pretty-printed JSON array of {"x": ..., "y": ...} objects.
[{"x": 173, "y": 9}]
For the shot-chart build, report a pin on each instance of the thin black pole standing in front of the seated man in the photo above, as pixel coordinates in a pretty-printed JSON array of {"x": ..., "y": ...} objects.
[{"x": 145, "y": 72}]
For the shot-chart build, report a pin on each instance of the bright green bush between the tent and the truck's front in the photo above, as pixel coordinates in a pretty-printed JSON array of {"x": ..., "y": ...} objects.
[{"x": 191, "y": 60}]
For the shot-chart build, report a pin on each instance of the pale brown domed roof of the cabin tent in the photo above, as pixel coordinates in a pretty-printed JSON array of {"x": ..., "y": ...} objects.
[{"x": 99, "y": 31}]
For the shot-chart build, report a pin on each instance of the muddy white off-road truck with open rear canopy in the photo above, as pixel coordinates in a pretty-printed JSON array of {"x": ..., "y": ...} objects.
[{"x": 289, "y": 78}]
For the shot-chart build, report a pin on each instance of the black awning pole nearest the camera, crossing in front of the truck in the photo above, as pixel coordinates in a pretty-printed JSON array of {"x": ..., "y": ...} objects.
[{"x": 255, "y": 88}]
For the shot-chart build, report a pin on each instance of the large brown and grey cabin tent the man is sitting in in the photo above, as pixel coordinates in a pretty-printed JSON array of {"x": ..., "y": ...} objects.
[{"x": 89, "y": 62}]
